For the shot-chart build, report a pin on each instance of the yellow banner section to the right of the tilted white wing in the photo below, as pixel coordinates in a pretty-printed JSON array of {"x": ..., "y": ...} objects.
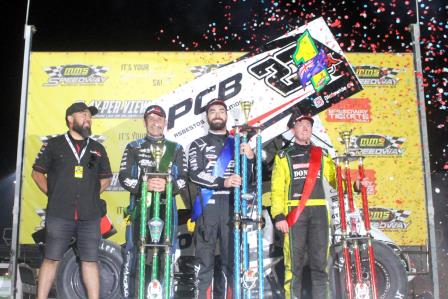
[{"x": 385, "y": 122}]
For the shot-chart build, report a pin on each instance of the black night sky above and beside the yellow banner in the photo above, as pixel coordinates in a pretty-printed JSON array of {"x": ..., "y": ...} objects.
[{"x": 206, "y": 25}]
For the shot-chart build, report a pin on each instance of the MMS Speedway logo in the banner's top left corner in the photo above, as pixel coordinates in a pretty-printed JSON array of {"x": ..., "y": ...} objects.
[{"x": 75, "y": 74}]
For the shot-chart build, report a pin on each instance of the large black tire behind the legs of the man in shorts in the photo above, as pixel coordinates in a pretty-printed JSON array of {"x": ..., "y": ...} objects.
[{"x": 69, "y": 283}]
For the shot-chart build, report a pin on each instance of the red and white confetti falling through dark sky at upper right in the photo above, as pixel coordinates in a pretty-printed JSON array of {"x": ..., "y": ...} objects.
[{"x": 359, "y": 26}]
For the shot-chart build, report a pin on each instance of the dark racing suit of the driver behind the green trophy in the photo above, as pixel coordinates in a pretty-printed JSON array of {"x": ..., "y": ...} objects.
[{"x": 136, "y": 158}]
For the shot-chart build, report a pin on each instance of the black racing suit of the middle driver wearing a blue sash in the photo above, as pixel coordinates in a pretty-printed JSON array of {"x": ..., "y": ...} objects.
[{"x": 216, "y": 220}]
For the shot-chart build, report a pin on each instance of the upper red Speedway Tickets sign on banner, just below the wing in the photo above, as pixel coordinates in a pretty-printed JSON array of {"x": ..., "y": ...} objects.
[{"x": 350, "y": 110}]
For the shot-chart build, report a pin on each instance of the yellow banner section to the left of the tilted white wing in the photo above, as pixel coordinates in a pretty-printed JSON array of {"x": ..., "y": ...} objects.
[{"x": 121, "y": 85}]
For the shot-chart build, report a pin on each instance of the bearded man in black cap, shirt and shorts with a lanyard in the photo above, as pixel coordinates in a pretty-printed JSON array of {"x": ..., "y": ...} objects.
[{"x": 72, "y": 170}]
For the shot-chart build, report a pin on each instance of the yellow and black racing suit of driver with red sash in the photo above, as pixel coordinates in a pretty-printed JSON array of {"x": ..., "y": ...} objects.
[{"x": 310, "y": 232}]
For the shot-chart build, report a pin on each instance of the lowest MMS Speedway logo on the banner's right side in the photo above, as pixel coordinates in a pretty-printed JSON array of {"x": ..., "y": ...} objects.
[{"x": 389, "y": 219}]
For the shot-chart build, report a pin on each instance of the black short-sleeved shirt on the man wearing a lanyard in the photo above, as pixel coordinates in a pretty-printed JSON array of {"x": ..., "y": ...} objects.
[{"x": 72, "y": 184}]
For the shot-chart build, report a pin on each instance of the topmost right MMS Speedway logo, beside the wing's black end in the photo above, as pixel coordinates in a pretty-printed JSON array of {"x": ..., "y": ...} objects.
[{"x": 370, "y": 75}]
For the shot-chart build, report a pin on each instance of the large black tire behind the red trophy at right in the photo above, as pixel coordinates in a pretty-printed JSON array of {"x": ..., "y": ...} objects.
[{"x": 391, "y": 275}]
